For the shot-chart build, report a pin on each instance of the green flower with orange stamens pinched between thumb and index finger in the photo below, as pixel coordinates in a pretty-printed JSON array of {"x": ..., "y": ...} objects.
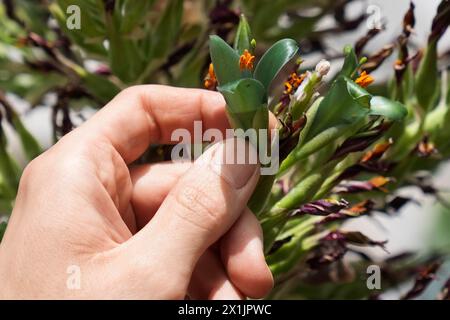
[{"x": 245, "y": 84}]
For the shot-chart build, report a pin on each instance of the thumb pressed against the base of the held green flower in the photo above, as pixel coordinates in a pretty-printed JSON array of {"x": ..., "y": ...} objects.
[{"x": 202, "y": 206}]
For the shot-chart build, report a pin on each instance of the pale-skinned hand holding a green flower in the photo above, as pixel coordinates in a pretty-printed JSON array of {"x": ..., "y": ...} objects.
[{"x": 157, "y": 231}]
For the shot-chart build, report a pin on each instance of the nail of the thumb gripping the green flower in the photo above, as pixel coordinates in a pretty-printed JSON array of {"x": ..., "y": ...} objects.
[{"x": 236, "y": 161}]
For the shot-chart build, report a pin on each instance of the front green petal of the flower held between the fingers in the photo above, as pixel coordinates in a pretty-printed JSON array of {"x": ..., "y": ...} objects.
[{"x": 245, "y": 103}]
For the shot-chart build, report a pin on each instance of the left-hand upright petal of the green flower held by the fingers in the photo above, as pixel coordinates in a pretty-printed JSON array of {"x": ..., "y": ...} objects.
[{"x": 225, "y": 61}]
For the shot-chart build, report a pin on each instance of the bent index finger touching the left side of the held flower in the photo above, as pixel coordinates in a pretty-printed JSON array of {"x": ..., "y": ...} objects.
[{"x": 146, "y": 114}]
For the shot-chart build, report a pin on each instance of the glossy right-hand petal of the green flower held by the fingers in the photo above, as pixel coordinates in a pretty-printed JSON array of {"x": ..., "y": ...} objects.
[{"x": 274, "y": 60}]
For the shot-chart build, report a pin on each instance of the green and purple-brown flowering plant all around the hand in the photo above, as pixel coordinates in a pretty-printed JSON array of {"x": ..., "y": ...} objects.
[{"x": 346, "y": 146}]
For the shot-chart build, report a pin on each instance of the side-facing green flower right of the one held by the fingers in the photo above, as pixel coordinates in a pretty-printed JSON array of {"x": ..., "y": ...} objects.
[{"x": 342, "y": 111}]
